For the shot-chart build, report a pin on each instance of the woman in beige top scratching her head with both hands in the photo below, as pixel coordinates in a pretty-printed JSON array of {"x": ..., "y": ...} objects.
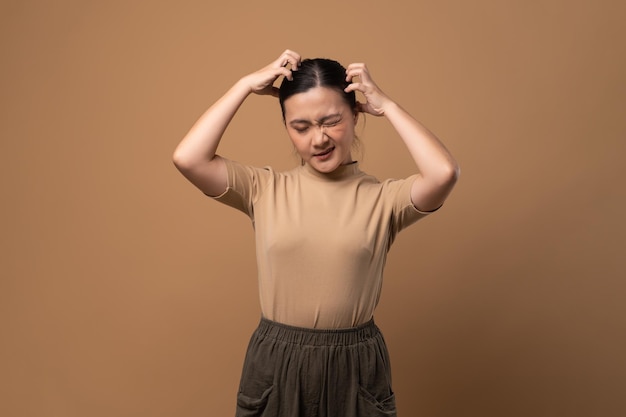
[{"x": 322, "y": 234}]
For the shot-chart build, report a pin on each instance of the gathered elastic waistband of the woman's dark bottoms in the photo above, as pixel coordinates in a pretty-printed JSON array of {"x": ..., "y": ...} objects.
[{"x": 317, "y": 337}]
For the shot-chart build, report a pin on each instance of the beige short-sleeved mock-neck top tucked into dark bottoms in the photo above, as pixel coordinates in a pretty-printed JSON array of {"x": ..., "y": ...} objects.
[{"x": 321, "y": 239}]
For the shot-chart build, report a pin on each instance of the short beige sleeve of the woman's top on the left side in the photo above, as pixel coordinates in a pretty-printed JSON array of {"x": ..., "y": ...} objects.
[{"x": 245, "y": 185}]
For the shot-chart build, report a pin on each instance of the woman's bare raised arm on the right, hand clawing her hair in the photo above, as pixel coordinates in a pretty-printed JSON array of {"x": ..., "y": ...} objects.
[{"x": 438, "y": 171}]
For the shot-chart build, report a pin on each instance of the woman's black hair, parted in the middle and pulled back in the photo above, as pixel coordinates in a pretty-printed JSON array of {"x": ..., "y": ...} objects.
[{"x": 317, "y": 72}]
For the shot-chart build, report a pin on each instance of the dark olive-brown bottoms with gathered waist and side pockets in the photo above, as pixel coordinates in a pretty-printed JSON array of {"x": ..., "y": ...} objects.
[{"x": 300, "y": 372}]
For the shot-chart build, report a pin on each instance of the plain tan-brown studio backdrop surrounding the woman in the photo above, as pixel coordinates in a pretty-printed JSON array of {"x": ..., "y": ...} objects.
[{"x": 125, "y": 292}]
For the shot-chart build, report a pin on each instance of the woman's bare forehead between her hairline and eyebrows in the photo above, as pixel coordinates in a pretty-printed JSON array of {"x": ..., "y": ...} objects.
[{"x": 315, "y": 103}]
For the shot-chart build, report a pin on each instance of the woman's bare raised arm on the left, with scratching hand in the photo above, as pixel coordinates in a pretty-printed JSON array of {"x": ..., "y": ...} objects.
[{"x": 195, "y": 155}]
